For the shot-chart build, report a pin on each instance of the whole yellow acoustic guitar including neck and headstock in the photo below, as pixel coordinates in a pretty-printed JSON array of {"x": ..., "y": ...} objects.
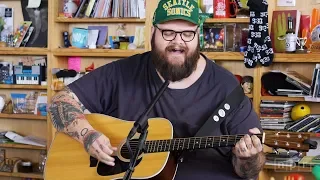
[{"x": 68, "y": 160}]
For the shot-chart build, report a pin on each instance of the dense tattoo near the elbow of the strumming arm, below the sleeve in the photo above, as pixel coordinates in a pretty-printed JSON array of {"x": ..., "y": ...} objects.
[{"x": 66, "y": 110}]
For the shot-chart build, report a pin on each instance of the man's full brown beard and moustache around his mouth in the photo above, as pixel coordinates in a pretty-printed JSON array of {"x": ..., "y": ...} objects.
[{"x": 170, "y": 71}]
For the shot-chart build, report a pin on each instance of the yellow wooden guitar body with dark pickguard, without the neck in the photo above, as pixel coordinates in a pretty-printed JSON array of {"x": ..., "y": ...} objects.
[{"x": 67, "y": 158}]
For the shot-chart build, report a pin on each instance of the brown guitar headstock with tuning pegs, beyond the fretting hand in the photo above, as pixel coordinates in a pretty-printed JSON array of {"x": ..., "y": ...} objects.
[{"x": 289, "y": 140}]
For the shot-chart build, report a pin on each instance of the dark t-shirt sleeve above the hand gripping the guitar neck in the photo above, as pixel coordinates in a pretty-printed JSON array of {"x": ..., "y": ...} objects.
[{"x": 243, "y": 119}]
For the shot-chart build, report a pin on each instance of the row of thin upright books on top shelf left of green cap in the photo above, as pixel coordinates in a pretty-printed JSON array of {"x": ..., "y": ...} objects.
[{"x": 111, "y": 9}]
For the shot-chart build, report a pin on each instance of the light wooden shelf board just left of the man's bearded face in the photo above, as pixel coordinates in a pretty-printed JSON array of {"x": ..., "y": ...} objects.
[{"x": 95, "y": 52}]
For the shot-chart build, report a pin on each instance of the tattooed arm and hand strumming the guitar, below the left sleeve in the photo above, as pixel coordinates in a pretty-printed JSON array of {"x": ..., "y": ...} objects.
[{"x": 67, "y": 115}]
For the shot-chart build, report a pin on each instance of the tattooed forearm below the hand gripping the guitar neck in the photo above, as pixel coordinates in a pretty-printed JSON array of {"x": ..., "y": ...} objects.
[{"x": 249, "y": 168}]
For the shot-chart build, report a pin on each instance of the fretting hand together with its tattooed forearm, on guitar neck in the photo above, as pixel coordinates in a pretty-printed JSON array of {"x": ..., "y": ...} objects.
[{"x": 248, "y": 159}]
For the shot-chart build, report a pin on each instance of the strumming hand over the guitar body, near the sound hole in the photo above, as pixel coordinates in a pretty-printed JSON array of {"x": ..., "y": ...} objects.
[{"x": 98, "y": 146}]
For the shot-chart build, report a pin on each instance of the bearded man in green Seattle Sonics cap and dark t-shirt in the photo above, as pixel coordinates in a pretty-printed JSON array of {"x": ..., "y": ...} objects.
[{"x": 124, "y": 89}]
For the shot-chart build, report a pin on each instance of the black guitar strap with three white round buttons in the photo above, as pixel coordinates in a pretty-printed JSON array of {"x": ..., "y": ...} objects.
[{"x": 226, "y": 107}]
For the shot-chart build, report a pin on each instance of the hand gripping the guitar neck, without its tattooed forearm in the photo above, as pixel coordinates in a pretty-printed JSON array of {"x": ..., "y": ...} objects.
[{"x": 248, "y": 146}]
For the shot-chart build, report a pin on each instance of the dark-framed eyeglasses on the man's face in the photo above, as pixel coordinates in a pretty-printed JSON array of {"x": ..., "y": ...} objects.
[{"x": 170, "y": 35}]
